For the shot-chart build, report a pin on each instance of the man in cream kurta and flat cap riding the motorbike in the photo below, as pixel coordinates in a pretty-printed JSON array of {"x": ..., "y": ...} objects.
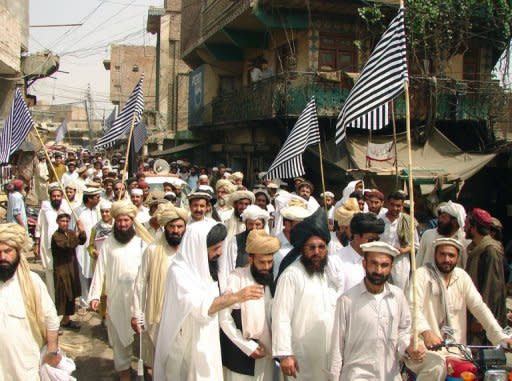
[{"x": 460, "y": 295}]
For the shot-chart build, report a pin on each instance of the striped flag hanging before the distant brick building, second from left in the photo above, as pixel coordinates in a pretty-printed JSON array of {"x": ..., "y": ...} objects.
[{"x": 122, "y": 124}]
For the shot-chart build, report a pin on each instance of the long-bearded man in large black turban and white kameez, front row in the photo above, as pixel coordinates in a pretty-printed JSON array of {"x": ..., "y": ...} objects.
[{"x": 303, "y": 307}]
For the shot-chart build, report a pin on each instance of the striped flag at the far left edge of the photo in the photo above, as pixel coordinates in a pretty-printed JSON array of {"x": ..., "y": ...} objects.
[{"x": 17, "y": 126}]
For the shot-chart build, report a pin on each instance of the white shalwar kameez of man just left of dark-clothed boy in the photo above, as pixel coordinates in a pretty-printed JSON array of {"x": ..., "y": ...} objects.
[{"x": 46, "y": 226}]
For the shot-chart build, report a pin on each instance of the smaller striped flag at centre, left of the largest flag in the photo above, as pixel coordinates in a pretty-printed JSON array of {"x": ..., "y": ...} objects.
[{"x": 288, "y": 162}]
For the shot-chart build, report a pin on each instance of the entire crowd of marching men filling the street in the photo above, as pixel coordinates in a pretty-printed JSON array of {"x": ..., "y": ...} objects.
[{"x": 226, "y": 283}]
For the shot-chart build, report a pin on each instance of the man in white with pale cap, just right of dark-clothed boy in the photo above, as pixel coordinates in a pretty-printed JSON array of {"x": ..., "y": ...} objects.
[{"x": 89, "y": 214}]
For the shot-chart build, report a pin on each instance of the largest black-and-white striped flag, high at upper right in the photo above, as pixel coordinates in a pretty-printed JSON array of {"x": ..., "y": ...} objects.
[{"x": 382, "y": 80}]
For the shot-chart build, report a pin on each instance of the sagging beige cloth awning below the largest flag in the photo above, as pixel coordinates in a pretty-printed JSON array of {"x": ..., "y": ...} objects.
[{"x": 438, "y": 158}]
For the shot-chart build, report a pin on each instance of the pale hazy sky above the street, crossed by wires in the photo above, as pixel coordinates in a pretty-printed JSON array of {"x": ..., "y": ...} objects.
[{"x": 82, "y": 49}]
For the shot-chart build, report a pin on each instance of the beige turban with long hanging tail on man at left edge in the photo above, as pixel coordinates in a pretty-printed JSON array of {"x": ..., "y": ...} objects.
[{"x": 16, "y": 236}]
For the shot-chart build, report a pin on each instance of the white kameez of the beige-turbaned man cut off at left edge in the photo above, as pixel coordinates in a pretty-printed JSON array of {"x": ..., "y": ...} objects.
[{"x": 21, "y": 354}]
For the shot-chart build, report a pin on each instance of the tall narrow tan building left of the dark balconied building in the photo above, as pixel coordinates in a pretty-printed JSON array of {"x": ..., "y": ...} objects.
[{"x": 172, "y": 73}]
